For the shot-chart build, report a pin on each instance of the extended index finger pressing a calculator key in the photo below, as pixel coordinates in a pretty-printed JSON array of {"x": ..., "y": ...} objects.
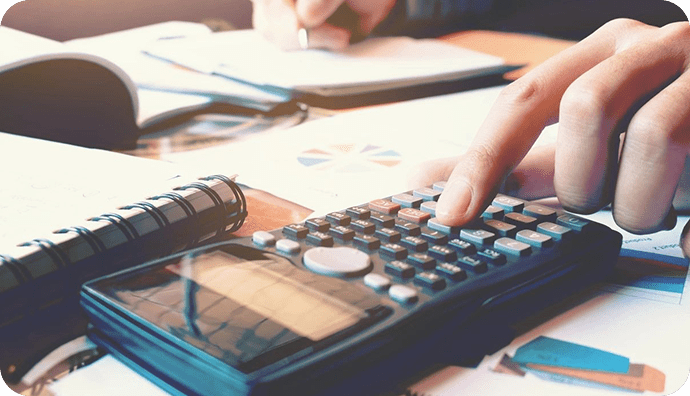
[{"x": 517, "y": 118}]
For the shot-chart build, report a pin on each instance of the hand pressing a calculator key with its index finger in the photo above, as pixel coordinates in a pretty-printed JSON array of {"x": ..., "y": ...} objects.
[{"x": 626, "y": 77}]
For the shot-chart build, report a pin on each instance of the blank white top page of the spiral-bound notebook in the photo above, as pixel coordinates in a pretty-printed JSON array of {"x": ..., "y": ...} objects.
[{"x": 47, "y": 186}]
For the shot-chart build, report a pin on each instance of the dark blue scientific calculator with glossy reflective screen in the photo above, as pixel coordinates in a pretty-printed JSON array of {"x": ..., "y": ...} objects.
[{"x": 354, "y": 302}]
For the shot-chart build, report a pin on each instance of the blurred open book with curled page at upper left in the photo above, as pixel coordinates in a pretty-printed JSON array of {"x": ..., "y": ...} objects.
[{"x": 104, "y": 92}]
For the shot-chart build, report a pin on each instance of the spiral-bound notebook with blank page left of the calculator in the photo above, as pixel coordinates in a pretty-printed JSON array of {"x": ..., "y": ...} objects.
[{"x": 69, "y": 214}]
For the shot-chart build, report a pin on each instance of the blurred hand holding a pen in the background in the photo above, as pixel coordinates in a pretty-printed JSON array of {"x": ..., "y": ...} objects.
[{"x": 330, "y": 23}]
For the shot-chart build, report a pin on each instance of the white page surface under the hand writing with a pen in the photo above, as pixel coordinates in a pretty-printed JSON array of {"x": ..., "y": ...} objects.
[{"x": 247, "y": 56}]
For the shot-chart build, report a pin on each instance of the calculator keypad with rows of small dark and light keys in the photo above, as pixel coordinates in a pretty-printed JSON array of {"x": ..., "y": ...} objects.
[{"x": 414, "y": 255}]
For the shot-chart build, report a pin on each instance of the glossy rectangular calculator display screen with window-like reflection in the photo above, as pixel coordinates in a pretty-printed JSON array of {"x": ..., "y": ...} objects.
[{"x": 243, "y": 306}]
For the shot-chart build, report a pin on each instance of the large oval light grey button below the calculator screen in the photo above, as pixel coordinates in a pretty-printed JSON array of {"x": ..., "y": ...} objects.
[{"x": 338, "y": 261}]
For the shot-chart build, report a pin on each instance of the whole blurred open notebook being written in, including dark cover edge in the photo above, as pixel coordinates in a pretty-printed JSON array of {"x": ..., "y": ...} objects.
[{"x": 398, "y": 65}]
